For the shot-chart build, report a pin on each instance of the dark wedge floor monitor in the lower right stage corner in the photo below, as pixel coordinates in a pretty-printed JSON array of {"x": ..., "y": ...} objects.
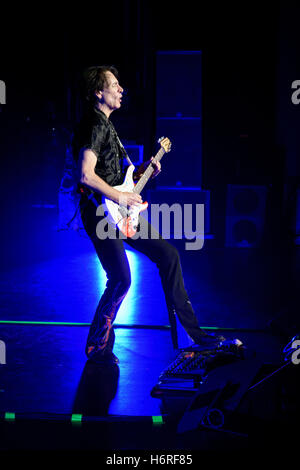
[{"x": 248, "y": 397}]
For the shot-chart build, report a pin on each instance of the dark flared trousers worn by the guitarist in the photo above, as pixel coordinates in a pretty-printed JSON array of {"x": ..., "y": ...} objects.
[{"x": 112, "y": 256}]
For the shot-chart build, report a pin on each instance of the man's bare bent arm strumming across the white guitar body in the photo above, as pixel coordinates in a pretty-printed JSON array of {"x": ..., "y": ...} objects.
[{"x": 88, "y": 177}]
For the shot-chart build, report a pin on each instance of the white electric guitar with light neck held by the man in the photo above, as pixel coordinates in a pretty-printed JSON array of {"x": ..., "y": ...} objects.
[{"x": 127, "y": 219}]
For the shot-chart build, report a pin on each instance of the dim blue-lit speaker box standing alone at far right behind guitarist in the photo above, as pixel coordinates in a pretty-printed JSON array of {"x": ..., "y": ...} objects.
[{"x": 245, "y": 215}]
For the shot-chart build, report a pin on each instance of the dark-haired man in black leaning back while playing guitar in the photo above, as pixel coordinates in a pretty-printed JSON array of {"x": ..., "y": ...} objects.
[{"x": 99, "y": 153}]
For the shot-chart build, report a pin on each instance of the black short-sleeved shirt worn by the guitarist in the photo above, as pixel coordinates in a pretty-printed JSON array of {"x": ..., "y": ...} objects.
[{"x": 96, "y": 132}]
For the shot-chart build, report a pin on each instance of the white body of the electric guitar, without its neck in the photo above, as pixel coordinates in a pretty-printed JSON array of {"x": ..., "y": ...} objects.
[{"x": 126, "y": 219}]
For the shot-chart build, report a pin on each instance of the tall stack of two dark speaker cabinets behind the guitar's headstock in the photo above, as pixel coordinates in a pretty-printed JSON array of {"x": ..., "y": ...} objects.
[{"x": 179, "y": 115}]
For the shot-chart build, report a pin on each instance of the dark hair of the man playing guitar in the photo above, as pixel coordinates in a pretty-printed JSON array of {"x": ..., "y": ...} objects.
[{"x": 95, "y": 79}]
